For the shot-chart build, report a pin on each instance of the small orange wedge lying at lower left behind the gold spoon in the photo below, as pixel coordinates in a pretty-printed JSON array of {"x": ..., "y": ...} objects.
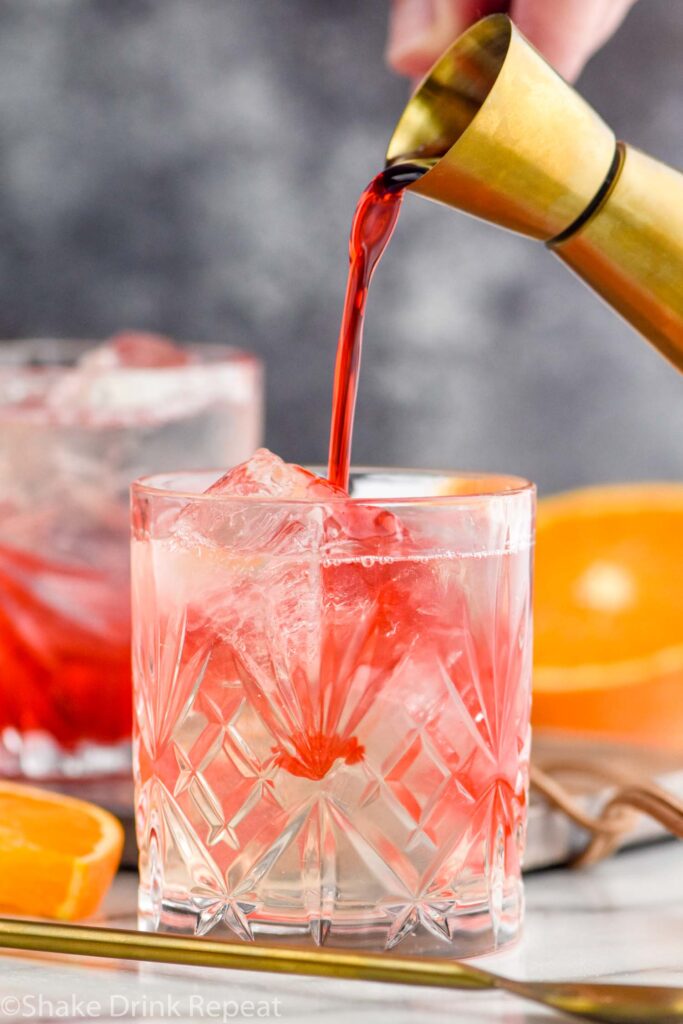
[{"x": 58, "y": 856}]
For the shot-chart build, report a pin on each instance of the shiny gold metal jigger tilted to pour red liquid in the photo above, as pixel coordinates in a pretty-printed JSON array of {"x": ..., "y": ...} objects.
[{"x": 508, "y": 141}]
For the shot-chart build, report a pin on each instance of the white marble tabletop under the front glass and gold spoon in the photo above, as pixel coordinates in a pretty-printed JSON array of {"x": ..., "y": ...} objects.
[{"x": 621, "y": 921}]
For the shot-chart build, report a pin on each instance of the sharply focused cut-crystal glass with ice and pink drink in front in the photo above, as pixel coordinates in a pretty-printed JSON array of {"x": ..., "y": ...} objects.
[{"x": 332, "y": 703}]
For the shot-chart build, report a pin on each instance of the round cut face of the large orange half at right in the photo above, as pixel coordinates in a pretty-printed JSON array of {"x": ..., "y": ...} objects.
[{"x": 610, "y": 586}]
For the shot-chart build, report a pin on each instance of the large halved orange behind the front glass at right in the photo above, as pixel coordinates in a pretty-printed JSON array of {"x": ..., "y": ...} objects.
[{"x": 610, "y": 613}]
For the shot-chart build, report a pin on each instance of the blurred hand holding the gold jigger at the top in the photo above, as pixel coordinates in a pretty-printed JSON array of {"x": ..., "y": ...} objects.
[{"x": 567, "y": 32}]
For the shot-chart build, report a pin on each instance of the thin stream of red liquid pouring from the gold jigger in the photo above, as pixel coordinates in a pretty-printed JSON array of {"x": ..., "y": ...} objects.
[{"x": 373, "y": 226}]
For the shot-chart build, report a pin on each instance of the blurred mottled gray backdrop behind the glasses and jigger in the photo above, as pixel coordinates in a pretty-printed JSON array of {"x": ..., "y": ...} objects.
[{"x": 192, "y": 166}]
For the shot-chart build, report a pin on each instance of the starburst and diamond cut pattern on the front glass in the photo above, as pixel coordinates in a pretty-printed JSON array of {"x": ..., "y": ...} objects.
[{"x": 305, "y": 780}]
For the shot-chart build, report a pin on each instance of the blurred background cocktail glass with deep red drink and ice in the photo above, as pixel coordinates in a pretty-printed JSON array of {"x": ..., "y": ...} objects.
[{"x": 76, "y": 428}]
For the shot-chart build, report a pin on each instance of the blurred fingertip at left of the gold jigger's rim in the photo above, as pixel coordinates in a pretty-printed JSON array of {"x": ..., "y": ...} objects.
[{"x": 421, "y": 30}]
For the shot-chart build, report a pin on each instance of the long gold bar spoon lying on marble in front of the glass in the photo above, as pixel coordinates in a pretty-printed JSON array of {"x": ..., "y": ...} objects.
[{"x": 589, "y": 1001}]
